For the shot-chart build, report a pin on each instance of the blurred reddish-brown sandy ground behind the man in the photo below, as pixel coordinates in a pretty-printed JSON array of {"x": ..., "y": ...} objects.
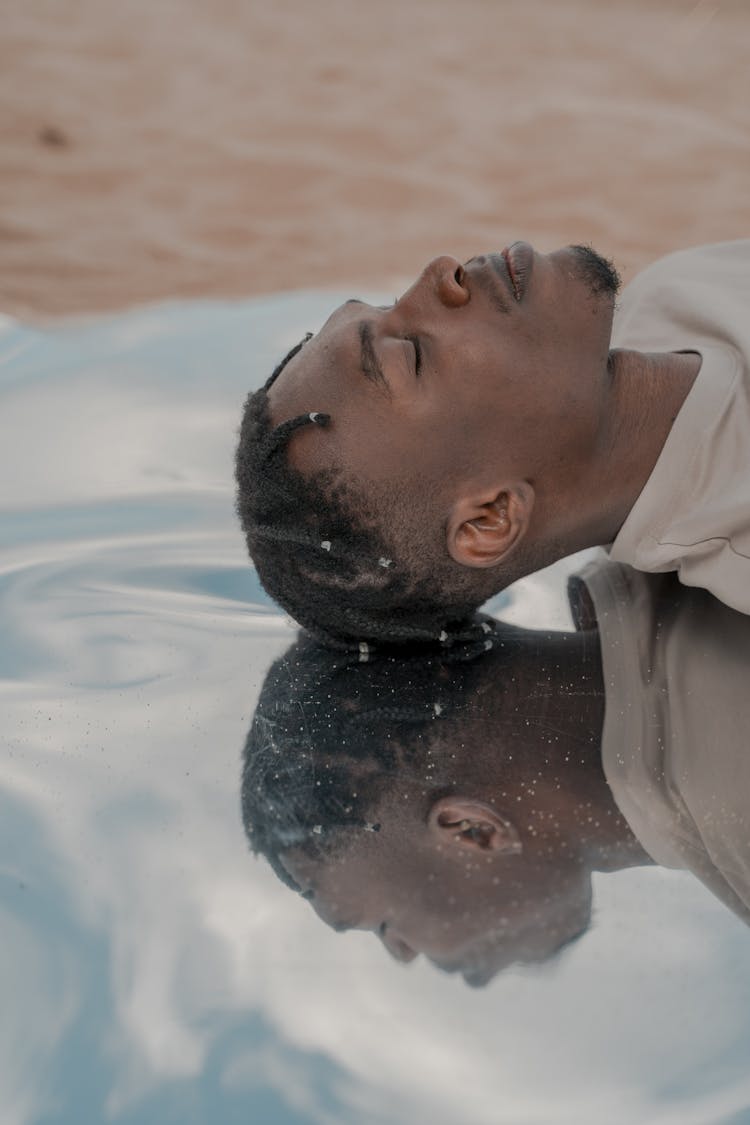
[{"x": 176, "y": 148}]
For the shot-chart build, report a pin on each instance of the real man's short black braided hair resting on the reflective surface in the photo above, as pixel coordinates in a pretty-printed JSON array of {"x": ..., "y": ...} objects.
[{"x": 322, "y": 551}]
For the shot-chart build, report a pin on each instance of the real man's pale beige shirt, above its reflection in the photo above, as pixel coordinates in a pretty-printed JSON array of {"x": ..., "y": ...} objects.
[{"x": 694, "y": 512}]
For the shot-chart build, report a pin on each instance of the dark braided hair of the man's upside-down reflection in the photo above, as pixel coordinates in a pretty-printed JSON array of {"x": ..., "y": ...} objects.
[{"x": 331, "y": 734}]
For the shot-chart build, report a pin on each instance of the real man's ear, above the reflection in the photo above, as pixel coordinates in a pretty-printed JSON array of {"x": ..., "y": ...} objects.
[{"x": 483, "y": 529}]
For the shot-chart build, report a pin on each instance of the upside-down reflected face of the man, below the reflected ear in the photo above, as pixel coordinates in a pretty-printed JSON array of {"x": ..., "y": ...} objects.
[{"x": 466, "y": 912}]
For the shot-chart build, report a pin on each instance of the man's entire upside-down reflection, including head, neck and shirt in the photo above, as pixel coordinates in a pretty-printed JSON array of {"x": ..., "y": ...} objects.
[{"x": 459, "y": 807}]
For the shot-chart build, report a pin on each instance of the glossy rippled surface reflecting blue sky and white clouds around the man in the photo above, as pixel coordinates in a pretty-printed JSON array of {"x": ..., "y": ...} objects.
[{"x": 151, "y": 969}]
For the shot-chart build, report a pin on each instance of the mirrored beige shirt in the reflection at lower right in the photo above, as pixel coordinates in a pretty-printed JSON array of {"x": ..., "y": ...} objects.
[{"x": 676, "y": 741}]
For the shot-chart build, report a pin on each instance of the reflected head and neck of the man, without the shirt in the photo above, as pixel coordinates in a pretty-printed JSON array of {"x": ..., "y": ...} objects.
[{"x": 456, "y": 811}]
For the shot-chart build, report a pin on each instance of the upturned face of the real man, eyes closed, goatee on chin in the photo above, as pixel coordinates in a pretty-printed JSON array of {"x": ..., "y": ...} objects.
[{"x": 496, "y": 366}]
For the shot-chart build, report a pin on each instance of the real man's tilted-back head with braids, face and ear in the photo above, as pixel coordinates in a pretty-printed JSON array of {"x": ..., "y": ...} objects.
[{"x": 455, "y": 429}]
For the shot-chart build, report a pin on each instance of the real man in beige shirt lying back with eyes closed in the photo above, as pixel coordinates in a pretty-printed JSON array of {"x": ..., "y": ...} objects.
[{"x": 412, "y": 461}]
